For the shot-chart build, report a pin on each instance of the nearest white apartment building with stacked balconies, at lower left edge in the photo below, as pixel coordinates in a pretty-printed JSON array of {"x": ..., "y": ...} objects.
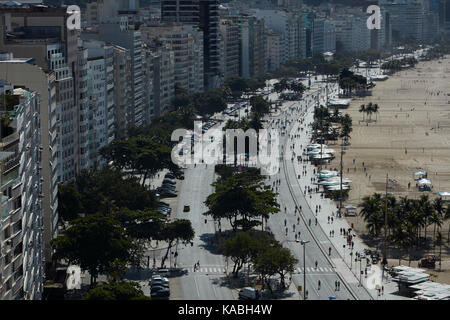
[{"x": 21, "y": 219}]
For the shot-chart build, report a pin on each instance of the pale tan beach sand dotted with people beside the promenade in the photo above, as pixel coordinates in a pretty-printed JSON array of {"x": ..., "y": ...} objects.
[{"x": 411, "y": 133}]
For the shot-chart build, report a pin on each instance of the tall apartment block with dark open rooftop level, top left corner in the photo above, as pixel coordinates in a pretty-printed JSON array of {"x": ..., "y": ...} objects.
[{"x": 42, "y": 33}]
